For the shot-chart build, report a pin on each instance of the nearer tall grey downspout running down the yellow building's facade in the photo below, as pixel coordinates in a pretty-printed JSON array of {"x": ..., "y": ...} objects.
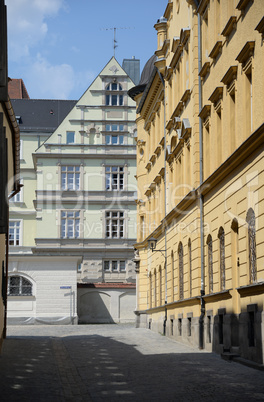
[{"x": 201, "y": 319}]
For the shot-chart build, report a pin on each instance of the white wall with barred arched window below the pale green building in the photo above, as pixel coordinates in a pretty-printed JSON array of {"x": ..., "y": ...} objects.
[{"x": 54, "y": 281}]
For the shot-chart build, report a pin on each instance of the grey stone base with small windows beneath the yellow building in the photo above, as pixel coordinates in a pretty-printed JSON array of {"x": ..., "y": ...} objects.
[{"x": 241, "y": 335}]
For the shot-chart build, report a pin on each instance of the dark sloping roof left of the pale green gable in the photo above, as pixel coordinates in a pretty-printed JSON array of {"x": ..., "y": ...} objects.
[{"x": 41, "y": 115}]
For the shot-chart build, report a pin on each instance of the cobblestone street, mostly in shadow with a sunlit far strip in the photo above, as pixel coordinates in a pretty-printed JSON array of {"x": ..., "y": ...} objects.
[{"x": 116, "y": 363}]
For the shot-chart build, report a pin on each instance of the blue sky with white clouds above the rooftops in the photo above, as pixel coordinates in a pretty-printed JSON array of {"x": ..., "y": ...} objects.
[{"x": 58, "y": 47}]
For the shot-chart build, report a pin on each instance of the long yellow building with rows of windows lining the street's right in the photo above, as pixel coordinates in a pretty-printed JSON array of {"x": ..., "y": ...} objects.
[{"x": 200, "y": 121}]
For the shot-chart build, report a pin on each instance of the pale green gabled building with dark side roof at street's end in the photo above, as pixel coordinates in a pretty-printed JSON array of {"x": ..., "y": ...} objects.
[{"x": 77, "y": 220}]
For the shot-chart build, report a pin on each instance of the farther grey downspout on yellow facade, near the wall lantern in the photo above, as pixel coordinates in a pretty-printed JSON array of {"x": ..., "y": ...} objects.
[{"x": 165, "y": 208}]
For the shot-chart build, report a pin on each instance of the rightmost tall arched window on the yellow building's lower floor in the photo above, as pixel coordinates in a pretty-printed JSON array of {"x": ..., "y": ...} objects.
[{"x": 252, "y": 255}]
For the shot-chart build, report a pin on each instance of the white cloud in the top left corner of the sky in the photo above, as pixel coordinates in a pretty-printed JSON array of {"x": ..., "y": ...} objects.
[{"x": 27, "y": 24}]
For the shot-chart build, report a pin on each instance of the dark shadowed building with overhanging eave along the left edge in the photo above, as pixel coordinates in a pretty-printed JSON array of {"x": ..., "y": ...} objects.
[{"x": 9, "y": 167}]
